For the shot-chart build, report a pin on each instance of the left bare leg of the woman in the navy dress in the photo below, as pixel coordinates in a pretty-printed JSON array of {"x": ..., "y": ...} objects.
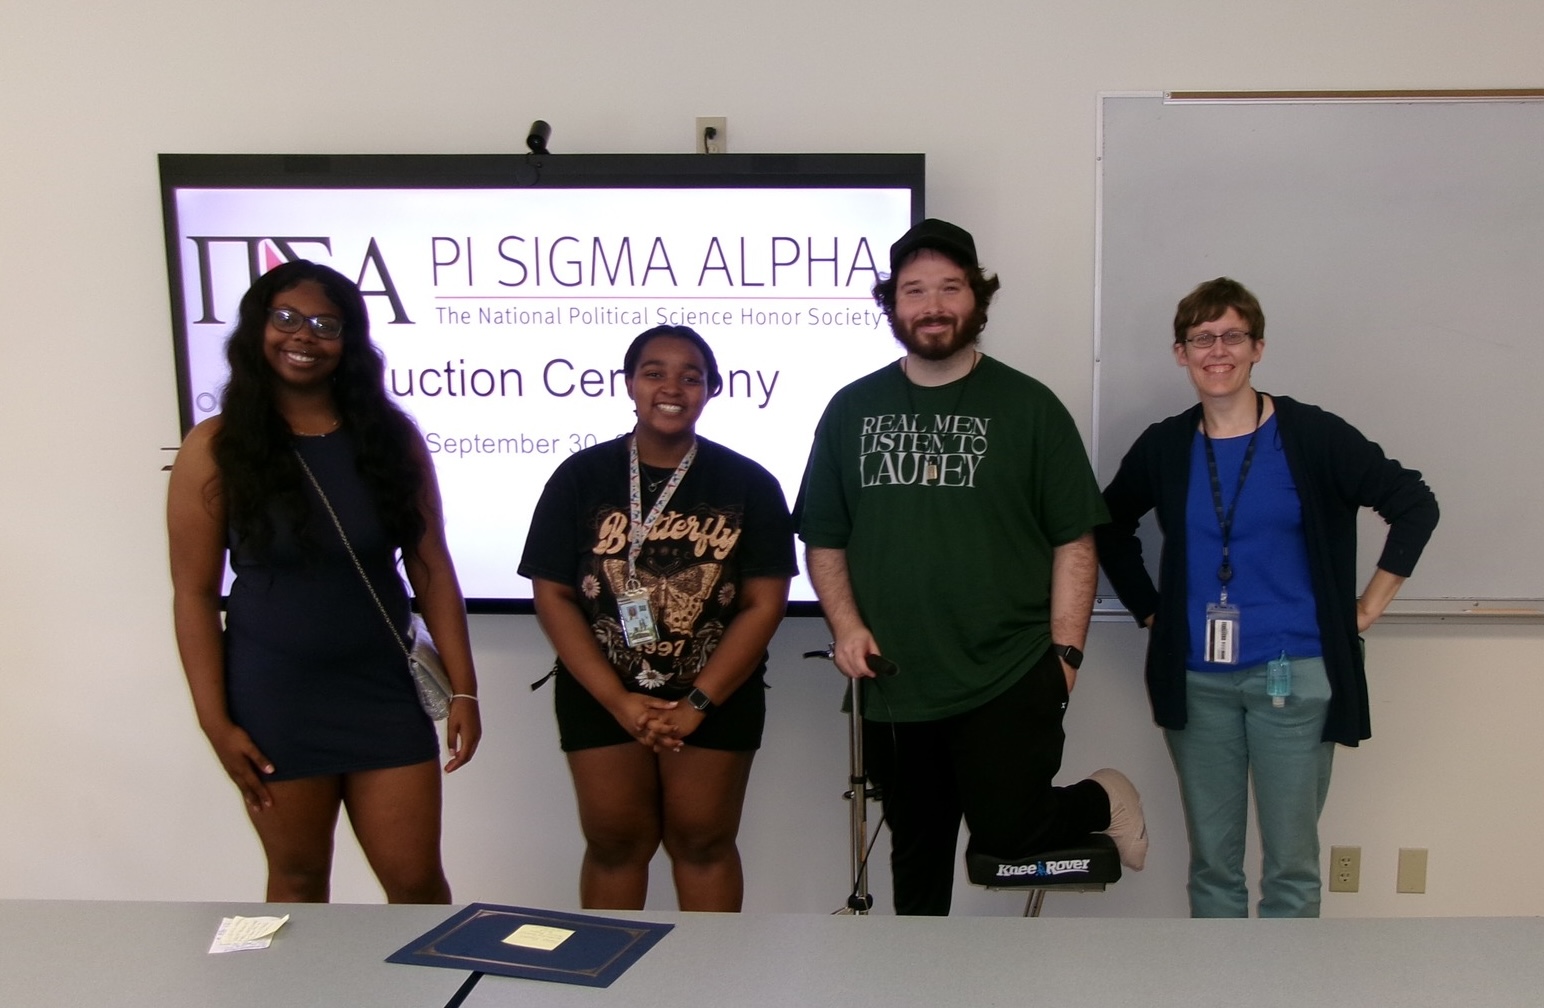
[{"x": 297, "y": 837}]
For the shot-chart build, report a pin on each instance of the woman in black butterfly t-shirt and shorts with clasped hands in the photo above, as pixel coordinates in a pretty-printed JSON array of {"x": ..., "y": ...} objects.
[{"x": 662, "y": 566}]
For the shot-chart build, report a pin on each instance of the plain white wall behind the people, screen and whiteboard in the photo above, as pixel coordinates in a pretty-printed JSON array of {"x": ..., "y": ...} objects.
[{"x": 107, "y": 790}]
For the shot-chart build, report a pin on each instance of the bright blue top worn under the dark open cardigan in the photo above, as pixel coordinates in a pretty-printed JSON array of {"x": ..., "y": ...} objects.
[{"x": 1270, "y": 556}]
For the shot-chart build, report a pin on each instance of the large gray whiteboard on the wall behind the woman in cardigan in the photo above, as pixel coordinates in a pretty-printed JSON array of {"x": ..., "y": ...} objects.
[{"x": 1398, "y": 252}]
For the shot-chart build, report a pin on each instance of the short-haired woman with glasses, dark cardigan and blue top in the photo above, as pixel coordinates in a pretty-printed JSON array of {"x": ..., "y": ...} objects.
[{"x": 1254, "y": 660}]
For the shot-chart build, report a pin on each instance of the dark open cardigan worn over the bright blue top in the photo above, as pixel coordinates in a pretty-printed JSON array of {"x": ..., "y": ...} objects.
[{"x": 1338, "y": 472}]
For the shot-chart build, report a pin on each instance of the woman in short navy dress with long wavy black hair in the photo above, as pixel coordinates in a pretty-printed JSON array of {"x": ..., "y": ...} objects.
[{"x": 305, "y": 692}]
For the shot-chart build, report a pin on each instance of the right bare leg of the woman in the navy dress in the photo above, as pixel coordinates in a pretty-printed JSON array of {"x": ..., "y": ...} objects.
[{"x": 396, "y": 817}]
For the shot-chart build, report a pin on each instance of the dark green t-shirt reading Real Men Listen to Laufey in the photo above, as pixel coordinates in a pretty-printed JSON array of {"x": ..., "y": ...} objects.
[{"x": 949, "y": 502}]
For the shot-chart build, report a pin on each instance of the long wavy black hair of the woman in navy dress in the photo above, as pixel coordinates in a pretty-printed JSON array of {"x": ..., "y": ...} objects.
[{"x": 260, "y": 478}]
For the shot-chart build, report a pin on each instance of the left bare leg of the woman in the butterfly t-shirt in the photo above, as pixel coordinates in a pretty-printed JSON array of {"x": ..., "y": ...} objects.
[{"x": 618, "y": 793}]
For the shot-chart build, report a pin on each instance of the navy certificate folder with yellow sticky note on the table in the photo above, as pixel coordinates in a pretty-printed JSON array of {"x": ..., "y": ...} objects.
[{"x": 597, "y": 953}]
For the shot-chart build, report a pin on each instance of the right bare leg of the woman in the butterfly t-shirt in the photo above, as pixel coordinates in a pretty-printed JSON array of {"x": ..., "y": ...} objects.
[{"x": 705, "y": 791}]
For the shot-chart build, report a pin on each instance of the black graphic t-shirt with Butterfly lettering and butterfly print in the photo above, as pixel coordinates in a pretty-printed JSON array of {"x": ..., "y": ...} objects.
[{"x": 728, "y": 521}]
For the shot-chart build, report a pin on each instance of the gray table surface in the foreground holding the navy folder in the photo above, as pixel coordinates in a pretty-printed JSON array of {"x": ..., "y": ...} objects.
[{"x": 130, "y": 955}]
